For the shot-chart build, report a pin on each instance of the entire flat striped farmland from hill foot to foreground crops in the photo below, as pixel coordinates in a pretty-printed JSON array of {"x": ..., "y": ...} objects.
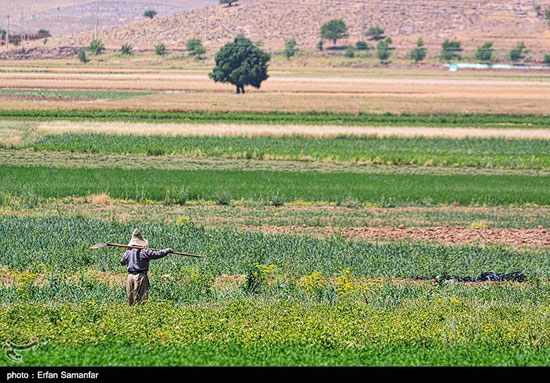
[{"x": 335, "y": 248}]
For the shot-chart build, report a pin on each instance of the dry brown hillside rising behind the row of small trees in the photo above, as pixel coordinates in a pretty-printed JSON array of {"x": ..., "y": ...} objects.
[{"x": 503, "y": 21}]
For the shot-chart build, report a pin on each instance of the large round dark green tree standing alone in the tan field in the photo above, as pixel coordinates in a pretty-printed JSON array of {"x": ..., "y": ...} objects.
[{"x": 241, "y": 63}]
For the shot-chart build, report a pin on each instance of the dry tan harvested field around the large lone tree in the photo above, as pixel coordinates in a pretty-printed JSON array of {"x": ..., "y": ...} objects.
[{"x": 290, "y": 88}]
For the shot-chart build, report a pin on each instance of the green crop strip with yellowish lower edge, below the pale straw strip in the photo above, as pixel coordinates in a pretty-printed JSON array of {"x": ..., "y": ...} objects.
[{"x": 489, "y": 153}]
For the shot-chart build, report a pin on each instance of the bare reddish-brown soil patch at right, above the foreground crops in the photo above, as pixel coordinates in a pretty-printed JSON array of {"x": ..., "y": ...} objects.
[{"x": 445, "y": 235}]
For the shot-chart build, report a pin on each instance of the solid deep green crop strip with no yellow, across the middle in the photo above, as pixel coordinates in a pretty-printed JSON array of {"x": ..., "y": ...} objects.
[{"x": 277, "y": 187}]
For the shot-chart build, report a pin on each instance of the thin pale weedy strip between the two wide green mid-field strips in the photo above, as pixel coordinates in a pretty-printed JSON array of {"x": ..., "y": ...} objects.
[{"x": 31, "y": 158}]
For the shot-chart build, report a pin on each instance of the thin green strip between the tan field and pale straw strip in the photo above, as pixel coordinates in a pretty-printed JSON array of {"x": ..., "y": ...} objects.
[{"x": 288, "y": 118}]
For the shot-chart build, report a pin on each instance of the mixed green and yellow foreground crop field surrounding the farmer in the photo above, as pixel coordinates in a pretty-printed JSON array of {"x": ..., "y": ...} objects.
[{"x": 316, "y": 297}]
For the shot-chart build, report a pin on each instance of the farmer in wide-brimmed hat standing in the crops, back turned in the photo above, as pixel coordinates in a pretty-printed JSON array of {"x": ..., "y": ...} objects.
[{"x": 137, "y": 263}]
